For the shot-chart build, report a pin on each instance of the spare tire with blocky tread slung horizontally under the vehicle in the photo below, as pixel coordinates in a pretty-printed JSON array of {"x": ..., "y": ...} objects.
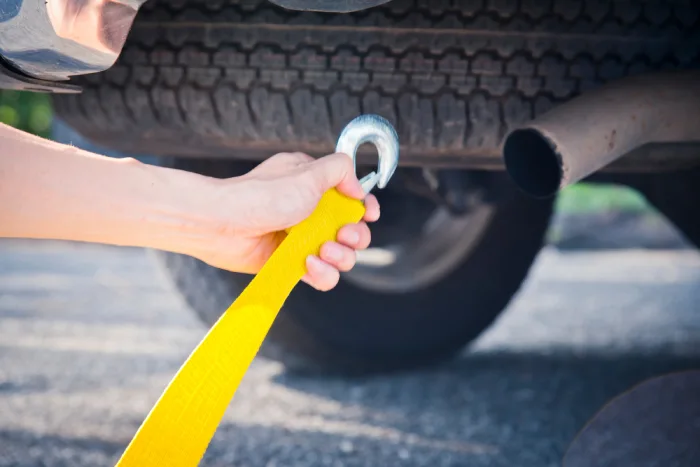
[{"x": 203, "y": 77}]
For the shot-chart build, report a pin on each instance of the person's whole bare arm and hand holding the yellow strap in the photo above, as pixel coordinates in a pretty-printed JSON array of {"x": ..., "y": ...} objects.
[{"x": 53, "y": 191}]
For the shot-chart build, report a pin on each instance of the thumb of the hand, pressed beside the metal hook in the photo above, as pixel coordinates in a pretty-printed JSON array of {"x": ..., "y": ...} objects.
[{"x": 336, "y": 171}]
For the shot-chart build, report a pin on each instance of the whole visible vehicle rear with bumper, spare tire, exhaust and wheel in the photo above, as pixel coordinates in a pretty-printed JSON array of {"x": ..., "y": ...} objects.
[{"x": 215, "y": 86}]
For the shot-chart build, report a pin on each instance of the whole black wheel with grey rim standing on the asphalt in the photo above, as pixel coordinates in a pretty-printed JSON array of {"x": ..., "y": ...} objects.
[{"x": 412, "y": 299}]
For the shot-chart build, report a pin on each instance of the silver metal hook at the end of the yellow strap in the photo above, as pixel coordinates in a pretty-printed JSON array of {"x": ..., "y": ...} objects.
[{"x": 379, "y": 132}]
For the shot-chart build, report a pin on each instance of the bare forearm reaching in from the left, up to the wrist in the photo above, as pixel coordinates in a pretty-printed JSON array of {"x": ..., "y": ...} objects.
[{"x": 52, "y": 191}]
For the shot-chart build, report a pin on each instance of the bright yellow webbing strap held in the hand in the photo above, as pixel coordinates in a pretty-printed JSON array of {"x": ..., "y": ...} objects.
[{"x": 180, "y": 426}]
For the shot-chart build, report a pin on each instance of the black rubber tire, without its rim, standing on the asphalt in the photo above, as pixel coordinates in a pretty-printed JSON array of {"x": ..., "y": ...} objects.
[{"x": 363, "y": 328}]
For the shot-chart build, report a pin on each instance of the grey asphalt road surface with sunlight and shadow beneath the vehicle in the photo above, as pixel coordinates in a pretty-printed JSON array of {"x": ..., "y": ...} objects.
[{"x": 89, "y": 336}]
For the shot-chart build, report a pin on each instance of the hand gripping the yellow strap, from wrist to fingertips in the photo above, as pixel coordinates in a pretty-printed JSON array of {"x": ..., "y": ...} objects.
[{"x": 253, "y": 211}]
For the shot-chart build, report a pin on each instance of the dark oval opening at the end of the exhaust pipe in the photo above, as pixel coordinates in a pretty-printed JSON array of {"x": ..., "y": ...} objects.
[{"x": 533, "y": 163}]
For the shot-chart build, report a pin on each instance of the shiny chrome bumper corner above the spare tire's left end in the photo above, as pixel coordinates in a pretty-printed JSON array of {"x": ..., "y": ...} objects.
[{"x": 57, "y": 39}]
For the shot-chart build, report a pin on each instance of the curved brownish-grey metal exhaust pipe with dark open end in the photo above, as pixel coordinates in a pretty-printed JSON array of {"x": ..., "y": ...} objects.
[{"x": 585, "y": 134}]
